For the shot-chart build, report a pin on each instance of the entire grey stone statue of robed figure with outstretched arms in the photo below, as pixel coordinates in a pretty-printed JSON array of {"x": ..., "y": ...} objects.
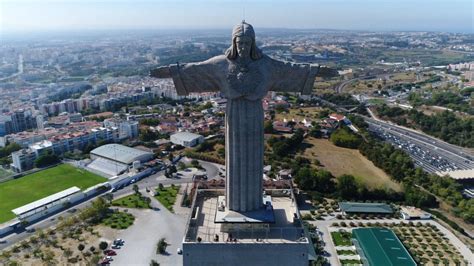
[{"x": 243, "y": 75}]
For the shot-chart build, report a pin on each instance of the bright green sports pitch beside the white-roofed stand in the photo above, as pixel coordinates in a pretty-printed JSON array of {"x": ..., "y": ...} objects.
[{"x": 24, "y": 190}]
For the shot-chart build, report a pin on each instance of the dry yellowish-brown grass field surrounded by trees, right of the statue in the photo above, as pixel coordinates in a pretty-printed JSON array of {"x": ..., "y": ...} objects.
[{"x": 341, "y": 161}]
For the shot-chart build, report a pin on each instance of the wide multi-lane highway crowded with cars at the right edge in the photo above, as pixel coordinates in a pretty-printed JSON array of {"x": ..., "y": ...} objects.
[{"x": 430, "y": 153}]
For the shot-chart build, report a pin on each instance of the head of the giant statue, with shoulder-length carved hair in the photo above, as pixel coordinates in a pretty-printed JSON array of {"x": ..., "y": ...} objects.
[{"x": 243, "y": 43}]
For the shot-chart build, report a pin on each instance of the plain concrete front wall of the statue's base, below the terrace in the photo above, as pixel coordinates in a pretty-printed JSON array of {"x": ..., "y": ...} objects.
[{"x": 229, "y": 254}]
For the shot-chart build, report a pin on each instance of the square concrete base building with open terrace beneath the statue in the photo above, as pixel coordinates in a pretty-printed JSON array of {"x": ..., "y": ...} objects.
[{"x": 272, "y": 235}]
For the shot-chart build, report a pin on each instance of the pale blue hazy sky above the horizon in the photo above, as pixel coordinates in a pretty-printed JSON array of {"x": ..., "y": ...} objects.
[{"x": 375, "y": 15}]
